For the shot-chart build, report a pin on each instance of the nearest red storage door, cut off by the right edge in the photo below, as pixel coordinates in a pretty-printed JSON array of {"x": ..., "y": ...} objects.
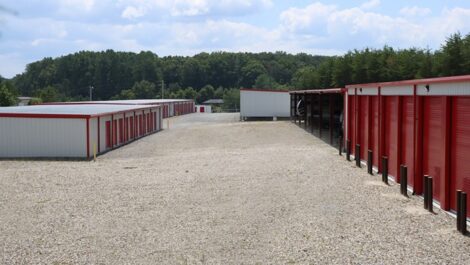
[{"x": 460, "y": 149}]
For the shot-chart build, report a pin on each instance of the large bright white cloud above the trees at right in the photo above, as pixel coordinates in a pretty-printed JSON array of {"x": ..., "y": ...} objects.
[{"x": 351, "y": 28}]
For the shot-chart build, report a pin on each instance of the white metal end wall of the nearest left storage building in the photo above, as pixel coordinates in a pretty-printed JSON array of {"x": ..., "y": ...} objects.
[{"x": 42, "y": 137}]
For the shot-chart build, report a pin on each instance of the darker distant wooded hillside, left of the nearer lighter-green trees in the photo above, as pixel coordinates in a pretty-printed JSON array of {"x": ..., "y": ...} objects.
[{"x": 111, "y": 72}]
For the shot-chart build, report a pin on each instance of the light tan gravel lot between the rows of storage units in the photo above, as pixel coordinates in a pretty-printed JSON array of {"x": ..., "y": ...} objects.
[{"x": 212, "y": 190}]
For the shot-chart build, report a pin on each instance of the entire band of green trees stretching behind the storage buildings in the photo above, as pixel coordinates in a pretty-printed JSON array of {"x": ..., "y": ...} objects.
[{"x": 125, "y": 75}]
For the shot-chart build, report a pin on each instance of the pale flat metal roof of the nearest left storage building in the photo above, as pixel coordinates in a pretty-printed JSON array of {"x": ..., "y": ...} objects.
[{"x": 83, "y": 109}]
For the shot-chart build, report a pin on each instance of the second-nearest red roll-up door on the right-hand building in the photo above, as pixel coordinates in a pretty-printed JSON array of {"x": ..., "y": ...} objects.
[{"x": 433, "y": 137}]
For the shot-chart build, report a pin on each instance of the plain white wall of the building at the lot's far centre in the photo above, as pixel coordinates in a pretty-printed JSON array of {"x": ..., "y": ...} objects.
[{"x": 264, "y": 104}]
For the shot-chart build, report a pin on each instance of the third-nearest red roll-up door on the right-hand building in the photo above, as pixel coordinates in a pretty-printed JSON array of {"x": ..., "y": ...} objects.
[{"x": 407, "y": 136}]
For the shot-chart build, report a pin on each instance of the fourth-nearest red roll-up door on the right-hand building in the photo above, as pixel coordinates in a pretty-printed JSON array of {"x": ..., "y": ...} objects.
[{"x": 391, "y": 133}]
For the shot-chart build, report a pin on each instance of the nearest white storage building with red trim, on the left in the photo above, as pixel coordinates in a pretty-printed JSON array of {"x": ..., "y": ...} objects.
[{"x": 73, "y": 131}]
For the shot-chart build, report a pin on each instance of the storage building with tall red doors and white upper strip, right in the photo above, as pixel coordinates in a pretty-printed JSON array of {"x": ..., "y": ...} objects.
[{"x": 423, "y": 124}]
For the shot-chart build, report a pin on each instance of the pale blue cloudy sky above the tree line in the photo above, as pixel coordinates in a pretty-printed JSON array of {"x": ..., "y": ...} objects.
[{"x": 51, "y": 28}]
